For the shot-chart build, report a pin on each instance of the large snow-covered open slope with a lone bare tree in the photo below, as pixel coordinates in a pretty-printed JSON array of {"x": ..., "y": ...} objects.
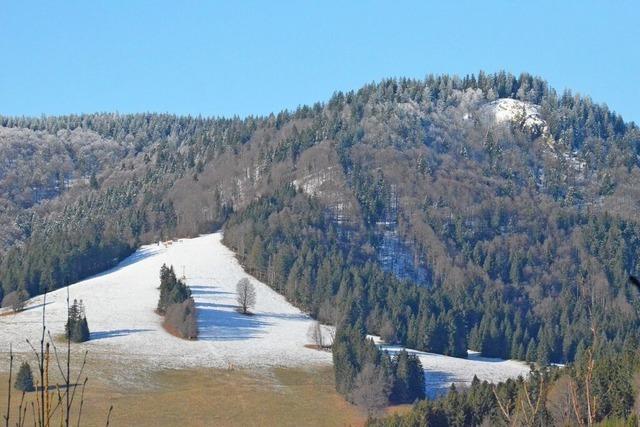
[{"x": 120, "y": 310}]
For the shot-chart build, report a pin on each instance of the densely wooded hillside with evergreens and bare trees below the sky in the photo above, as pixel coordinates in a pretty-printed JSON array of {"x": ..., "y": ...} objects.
[{"x": 485, "y": 212}]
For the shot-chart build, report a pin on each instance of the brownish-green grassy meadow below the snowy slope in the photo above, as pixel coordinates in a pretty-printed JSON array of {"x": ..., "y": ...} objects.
[{"x": 206, "y": 397}]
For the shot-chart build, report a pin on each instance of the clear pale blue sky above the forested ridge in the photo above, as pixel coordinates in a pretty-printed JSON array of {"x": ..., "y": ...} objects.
[{"x": 254, "y": 57}]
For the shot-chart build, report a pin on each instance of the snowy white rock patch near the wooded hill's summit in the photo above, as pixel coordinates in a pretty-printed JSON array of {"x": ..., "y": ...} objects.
[{"x": 515, "y": 111}]
